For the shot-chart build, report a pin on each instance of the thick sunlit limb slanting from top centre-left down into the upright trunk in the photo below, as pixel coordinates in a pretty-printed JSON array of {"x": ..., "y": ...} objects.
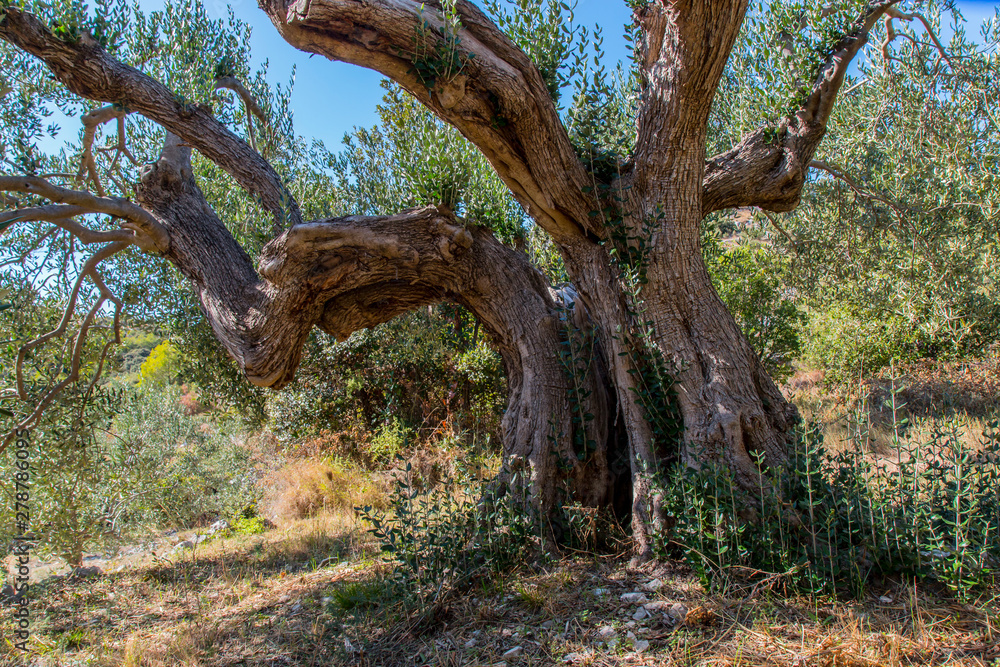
[{"x": 496, "y": 98}]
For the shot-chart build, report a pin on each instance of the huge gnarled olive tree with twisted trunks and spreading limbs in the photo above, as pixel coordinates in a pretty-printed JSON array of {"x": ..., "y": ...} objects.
[{"x": 622, "y": 195}]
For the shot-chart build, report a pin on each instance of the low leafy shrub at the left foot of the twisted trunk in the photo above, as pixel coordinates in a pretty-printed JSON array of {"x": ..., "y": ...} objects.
[{"x": 445, "y": 539}]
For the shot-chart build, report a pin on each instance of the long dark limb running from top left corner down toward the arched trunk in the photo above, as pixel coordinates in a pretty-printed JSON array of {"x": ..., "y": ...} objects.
[{"x": 86, "y": 69}]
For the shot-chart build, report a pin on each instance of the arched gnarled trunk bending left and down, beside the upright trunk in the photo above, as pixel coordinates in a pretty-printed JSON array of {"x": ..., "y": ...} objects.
[{"x": 350, "y": 273}]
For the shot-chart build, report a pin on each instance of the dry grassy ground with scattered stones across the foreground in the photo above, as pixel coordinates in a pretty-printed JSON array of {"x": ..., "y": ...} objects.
[{"x": 304, "y": 594}]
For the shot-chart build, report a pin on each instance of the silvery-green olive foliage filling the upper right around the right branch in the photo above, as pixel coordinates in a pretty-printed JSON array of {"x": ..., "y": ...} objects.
[{"x": 894, "y": 252}]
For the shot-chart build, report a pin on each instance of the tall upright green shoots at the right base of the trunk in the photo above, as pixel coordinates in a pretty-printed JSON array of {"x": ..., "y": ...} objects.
[{"x": 828, "y": 523}]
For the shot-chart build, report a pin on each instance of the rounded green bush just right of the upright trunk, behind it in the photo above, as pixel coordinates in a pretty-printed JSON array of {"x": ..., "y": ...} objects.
[{"x": 750, "y": 279}]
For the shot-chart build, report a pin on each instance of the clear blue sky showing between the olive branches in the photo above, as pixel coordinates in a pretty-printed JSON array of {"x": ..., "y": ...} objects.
[{"x": 330, "y": 98}]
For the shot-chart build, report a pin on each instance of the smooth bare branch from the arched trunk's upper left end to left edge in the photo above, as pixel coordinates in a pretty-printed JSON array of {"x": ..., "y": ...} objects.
[{"x": 146, "y": 232}]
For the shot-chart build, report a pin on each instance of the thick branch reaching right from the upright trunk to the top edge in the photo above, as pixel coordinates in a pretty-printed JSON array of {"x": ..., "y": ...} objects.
[{"x": 767, "y": 169}]
